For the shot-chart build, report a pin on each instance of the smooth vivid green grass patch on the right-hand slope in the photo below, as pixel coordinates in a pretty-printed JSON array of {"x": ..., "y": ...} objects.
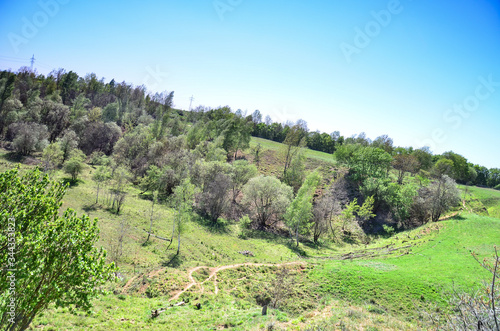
[{"x": 422, "y": 276}]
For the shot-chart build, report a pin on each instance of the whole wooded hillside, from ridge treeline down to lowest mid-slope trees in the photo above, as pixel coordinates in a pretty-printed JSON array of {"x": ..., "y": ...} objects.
[{"x": 130, "y": 135}]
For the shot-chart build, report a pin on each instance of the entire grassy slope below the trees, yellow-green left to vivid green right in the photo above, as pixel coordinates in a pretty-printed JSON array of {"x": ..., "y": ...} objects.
[{"x": 381, "y": 290}]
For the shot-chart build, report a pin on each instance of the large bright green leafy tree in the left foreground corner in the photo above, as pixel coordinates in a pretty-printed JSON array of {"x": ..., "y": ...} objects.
[{"x": 55, "y": 260}]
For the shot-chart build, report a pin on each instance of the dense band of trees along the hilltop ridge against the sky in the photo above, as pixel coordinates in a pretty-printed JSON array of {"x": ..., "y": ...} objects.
[{"x": 34, "y": 108}]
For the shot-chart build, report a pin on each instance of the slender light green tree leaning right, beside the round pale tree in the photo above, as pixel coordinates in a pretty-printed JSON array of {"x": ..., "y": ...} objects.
[{"x": 299, "y": 213}]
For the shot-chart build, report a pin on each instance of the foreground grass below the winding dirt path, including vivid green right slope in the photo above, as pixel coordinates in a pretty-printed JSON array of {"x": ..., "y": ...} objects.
[{"x": 379, "y": 292}]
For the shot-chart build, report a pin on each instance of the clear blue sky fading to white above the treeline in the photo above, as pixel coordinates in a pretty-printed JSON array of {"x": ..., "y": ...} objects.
[{"x": 415, "y": 70}]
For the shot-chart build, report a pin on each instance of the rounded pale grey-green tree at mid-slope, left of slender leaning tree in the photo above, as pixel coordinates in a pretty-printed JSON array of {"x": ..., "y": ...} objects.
[{"x": 266, "y": 198}]
